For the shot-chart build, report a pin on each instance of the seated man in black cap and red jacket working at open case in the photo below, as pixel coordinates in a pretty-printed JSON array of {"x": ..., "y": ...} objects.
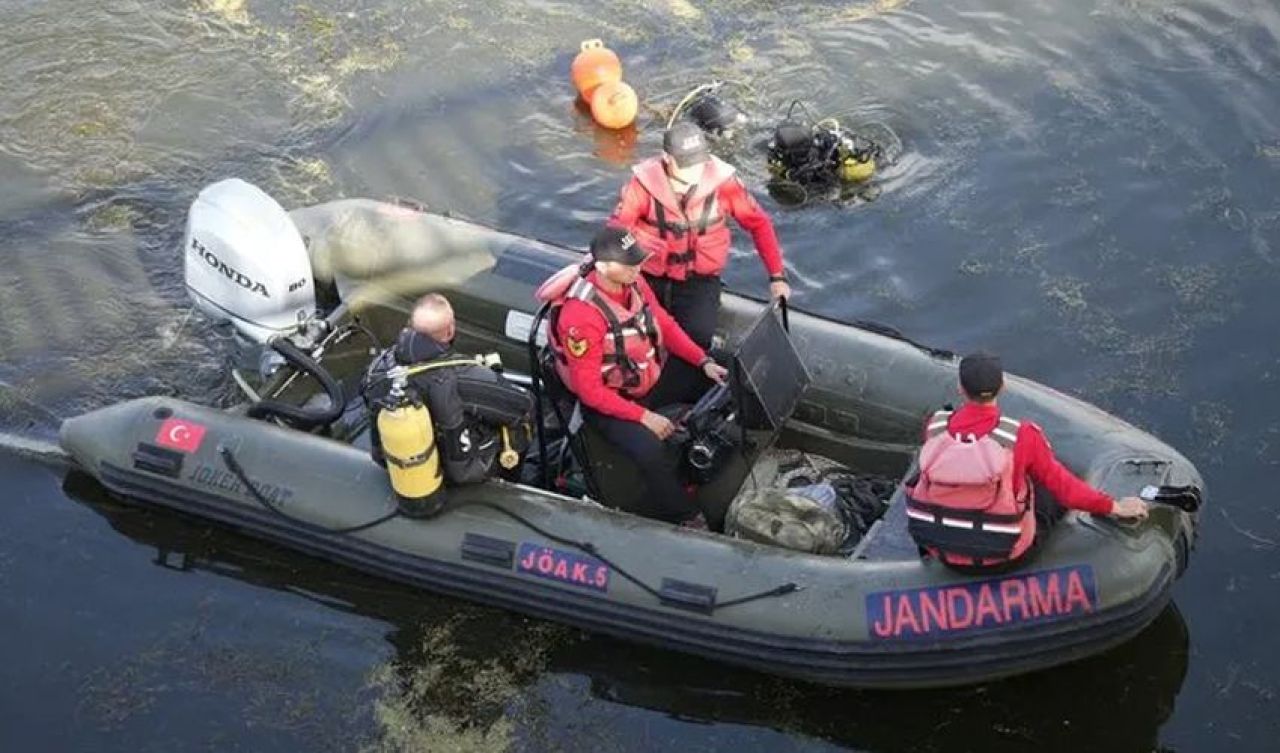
[{"x": 611, "y": 340}]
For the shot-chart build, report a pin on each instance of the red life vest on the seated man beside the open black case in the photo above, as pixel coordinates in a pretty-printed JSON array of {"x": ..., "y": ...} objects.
[{"x": 633, "y": 353}]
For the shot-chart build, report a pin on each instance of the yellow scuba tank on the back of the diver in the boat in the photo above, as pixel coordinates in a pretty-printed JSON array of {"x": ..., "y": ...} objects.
[{"x": 409, "y": 444}]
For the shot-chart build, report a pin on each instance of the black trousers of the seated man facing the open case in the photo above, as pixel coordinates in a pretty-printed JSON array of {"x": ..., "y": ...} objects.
[{"x": 665, "y": 498}]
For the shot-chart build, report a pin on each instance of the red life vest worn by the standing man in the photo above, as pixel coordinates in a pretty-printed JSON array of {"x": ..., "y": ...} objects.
[{"x": 685, "y": 235}]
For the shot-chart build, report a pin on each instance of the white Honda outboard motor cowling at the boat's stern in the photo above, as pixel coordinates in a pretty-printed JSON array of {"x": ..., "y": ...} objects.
[{"x": 246, "y": 263}]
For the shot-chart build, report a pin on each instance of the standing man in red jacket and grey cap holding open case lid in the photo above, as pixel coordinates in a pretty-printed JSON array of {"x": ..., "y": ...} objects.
[{"x": 678, "y": 206}]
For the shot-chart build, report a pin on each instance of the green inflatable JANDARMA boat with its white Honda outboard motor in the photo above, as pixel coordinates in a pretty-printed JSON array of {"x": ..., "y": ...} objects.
[{"x": 310, "y": 293}]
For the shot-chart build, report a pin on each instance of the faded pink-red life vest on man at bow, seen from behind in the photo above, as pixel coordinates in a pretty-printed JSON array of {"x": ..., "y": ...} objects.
[{"x": 962, "y": 505}]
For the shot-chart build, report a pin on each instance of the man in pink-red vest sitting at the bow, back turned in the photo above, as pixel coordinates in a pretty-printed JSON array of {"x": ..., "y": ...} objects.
[{"x": 973, "y": 504}]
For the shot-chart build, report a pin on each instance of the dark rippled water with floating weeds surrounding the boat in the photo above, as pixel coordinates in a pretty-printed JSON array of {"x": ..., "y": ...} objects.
[{"x": 1090, "y": 189}]
